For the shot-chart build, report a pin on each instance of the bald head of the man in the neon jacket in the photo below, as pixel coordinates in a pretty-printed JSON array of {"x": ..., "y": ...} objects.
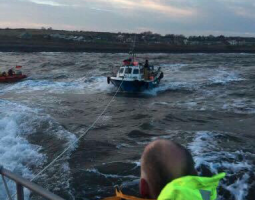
[{"x": 163, "y": 161}]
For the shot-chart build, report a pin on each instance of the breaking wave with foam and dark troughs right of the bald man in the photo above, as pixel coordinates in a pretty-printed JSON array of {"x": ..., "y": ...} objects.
[{"x": 211, "y": 158}]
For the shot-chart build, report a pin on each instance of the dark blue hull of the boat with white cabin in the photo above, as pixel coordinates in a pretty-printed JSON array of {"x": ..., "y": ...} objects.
[{"x": 134, "y": 85}]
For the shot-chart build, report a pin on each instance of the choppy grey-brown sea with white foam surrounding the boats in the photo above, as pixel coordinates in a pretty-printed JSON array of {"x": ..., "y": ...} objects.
[{"x": 205, "y": 101}]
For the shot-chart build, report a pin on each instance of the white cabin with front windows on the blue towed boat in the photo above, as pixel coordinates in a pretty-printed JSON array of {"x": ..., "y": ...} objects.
[{"x": 131, "y": 72}]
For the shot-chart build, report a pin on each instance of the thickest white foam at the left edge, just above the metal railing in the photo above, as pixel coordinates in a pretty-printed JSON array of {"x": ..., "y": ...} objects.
[{"x": 16, "y": 154}]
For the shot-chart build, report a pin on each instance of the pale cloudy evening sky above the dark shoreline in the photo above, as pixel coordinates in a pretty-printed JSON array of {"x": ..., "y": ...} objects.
[{"x": 187, "y": 17}]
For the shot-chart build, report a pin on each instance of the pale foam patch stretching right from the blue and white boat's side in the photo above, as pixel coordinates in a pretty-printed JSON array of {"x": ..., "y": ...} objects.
[{"x": 175, "y": 79}]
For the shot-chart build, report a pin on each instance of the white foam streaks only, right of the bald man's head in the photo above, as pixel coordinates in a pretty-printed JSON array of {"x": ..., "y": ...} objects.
[{"x": 208, "y": 152}]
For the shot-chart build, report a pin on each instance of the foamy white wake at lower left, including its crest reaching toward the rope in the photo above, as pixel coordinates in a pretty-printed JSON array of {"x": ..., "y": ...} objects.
[{"x": 16, "y": 153}]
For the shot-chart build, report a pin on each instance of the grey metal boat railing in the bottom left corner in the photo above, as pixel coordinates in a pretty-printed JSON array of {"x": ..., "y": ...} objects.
[{"x": 21, "y": 183}]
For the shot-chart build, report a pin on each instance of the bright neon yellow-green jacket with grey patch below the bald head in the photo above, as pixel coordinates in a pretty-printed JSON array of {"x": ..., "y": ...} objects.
[{"x": 192, "y": 188}]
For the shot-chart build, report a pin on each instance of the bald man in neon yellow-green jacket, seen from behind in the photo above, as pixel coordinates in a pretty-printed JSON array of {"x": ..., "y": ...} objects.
[{"x": 168, "y": 173}]
